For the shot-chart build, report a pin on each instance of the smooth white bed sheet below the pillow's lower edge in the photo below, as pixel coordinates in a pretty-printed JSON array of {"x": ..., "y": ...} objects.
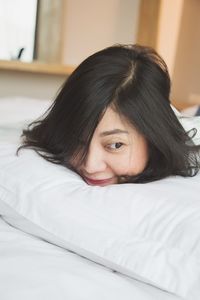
[{"x": 34, "y": 269}]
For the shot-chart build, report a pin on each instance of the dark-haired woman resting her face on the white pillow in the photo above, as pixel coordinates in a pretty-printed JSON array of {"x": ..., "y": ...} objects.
[{"x": 112, "y": 121}]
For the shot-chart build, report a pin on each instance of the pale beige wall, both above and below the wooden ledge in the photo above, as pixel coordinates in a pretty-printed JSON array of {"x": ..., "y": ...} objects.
[{"x": 90, "y": 25}]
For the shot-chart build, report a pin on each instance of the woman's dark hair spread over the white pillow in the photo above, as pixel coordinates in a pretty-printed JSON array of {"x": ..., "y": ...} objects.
[{"x": 134, "y": 80}]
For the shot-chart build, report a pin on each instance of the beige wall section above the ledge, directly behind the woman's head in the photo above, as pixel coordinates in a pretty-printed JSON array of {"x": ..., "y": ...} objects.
[{"x": 95, "y": 24}]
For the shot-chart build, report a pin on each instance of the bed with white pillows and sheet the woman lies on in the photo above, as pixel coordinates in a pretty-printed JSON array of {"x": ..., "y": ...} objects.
[{"x": 105, "y": 256}]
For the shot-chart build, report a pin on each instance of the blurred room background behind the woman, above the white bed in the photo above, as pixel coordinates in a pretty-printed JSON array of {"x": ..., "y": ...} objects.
[{"x": 42, "y": 41}]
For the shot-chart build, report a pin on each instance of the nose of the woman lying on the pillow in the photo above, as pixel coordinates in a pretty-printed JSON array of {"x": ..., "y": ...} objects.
[{"x": 95, "y": 161}]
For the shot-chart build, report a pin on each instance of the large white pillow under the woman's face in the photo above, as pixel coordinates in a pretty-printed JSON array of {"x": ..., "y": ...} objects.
[{"x": 150, "y": 232}]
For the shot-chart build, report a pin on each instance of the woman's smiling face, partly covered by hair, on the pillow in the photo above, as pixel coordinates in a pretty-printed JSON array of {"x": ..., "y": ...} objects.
[{"x": 116, "y": 149}]
